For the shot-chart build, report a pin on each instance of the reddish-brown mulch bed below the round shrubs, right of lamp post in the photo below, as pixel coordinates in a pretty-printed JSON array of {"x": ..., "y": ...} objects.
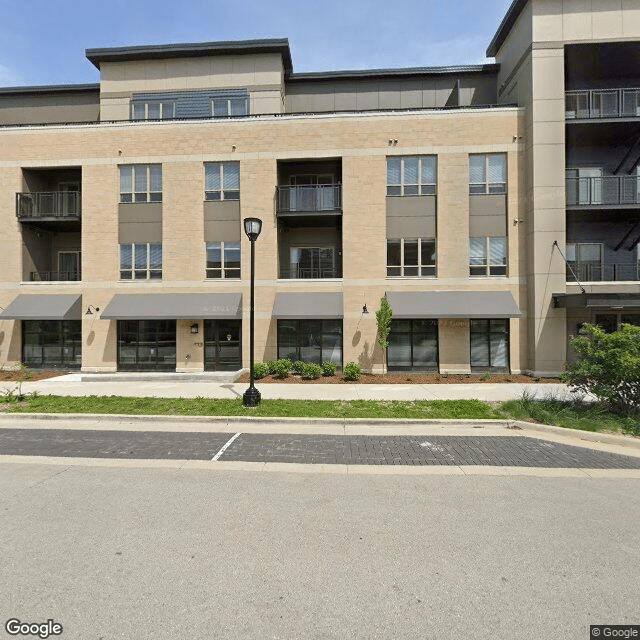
[{"x": 405, "y": 378}]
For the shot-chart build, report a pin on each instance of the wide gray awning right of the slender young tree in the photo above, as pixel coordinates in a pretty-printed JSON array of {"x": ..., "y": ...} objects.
[{"x": 453, "y": 304}]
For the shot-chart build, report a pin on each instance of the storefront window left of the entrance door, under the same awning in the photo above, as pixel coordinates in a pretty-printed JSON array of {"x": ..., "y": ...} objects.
[{"x": 146, "y": 345}]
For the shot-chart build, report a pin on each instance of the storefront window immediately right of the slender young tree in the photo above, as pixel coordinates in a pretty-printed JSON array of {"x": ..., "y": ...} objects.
[{"x": 413, "y": 345}]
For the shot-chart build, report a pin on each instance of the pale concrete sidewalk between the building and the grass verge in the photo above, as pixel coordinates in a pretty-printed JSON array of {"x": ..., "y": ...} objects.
[{"x": 124, "y": 385}]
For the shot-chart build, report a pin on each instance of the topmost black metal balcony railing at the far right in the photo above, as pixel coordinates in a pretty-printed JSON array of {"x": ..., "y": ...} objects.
[{"x": 602, "y": 103}]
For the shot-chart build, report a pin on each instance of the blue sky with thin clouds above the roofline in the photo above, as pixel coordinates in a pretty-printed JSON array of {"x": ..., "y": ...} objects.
[{"x": 43, "y": 41}]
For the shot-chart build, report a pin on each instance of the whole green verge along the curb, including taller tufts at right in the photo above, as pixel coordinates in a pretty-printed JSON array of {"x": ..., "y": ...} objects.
[{"x": 572, "y": 415}]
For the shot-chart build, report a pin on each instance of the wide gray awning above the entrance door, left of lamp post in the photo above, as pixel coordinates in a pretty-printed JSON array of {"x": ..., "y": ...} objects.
[{"x": 173, "y": 306}]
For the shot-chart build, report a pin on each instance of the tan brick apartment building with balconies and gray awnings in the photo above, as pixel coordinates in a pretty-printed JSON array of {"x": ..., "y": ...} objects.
[{"x": 496, "y": 206}]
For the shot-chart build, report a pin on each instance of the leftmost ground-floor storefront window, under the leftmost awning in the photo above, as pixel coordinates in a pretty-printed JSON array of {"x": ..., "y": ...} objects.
[{"x": 52, "y": 343}]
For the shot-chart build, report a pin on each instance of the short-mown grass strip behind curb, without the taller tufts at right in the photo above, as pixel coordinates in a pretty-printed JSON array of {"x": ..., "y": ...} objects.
[{"x": 391, "y": 409}]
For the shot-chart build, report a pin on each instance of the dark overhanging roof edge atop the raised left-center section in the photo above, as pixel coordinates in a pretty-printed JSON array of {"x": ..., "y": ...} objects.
[{"x": 192, "y": 49}]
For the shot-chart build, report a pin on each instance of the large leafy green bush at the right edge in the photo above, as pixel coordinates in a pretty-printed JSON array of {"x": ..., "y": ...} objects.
[{"x": 608, "y": 367}]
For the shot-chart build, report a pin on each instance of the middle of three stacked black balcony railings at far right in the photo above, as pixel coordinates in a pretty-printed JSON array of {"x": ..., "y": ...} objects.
[{"x": 607, "y": 190}]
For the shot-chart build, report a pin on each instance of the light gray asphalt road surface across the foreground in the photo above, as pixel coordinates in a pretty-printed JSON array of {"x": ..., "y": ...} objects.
[{"x": 137, "y": 553}]
